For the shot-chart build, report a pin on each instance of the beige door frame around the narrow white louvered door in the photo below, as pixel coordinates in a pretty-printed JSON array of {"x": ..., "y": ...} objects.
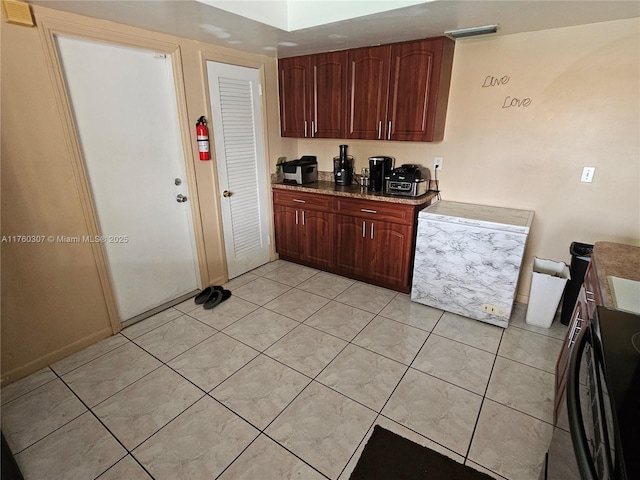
[{"x": 213, "y": 56}]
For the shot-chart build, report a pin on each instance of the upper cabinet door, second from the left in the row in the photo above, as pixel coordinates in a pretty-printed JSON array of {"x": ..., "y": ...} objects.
[{"x": 328, "y": 94}]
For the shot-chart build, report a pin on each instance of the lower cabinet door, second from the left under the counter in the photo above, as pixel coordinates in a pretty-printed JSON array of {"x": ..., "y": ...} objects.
[{"x": 317, "y": 237}]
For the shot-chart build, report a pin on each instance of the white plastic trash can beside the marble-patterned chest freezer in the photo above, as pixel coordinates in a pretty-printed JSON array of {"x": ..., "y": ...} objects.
[{"x": 547, "y": 285}]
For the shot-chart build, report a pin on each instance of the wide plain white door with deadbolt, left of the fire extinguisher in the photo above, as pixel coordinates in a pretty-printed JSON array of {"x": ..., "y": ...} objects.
[{"x": 124, "y": 105}]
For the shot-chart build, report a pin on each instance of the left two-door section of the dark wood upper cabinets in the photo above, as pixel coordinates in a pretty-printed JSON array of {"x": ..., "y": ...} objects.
[{"x": 313, "y": 95}]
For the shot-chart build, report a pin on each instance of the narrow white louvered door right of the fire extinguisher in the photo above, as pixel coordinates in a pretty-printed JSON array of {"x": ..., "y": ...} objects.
[{"x": 242, "y": 174}]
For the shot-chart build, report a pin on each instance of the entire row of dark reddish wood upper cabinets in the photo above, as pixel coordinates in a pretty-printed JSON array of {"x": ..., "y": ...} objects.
[{"x": 388, "y": 92}]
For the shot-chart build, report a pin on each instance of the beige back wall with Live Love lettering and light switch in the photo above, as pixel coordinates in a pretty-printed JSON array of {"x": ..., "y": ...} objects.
[{"x": 583, "y": 83}]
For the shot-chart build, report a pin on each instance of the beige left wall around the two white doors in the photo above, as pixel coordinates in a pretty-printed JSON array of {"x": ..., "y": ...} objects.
[{"x": 53, "y": 301}]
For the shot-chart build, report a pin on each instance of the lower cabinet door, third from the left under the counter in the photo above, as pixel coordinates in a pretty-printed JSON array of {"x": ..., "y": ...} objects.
[{"x": 349, "y": 241}]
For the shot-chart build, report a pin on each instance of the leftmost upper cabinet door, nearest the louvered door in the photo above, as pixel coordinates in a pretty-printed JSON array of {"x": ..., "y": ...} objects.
[{"x": 294, "y": 82}]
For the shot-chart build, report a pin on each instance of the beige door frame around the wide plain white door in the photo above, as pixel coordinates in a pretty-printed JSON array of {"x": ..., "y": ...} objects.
[{"x": 49, "y": 28}]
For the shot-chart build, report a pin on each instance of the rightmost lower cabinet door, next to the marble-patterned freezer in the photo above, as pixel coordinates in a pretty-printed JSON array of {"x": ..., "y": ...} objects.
[{"x": 389, "y": 253}]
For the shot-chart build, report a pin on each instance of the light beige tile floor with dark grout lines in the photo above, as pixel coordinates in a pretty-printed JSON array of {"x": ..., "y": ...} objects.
[{"x": 286, "y": 379}]
